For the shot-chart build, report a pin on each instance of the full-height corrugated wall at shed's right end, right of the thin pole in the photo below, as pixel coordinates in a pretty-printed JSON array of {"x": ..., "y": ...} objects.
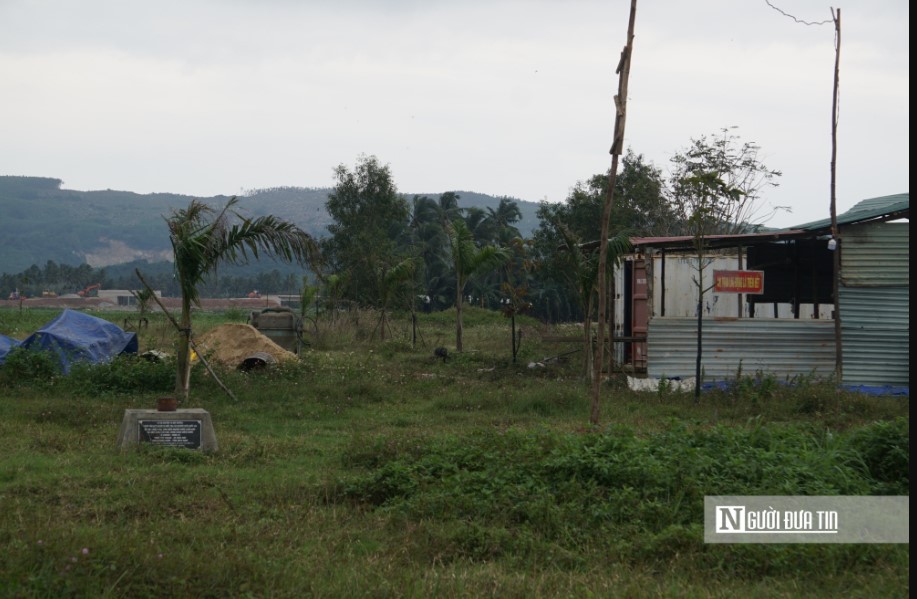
[{"x": 875, "y": 304}]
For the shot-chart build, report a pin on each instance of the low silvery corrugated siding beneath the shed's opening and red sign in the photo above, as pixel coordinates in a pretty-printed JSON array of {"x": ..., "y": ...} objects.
[{"x": 781, "y": 347}]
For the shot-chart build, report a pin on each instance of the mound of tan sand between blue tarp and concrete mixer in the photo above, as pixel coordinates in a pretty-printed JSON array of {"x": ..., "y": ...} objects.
[{"x": 240, "y": 345}]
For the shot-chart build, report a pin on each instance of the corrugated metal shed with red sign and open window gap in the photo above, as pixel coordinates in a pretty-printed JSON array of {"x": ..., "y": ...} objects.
[{"x": 874, "y": 304}]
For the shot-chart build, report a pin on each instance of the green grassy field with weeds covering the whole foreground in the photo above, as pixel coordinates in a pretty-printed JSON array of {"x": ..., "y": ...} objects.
[{"x": 371, "y": 469}]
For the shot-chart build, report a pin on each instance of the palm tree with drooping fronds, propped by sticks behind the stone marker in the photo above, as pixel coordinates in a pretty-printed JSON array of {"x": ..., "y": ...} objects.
[{"x": 202, "y": 238}]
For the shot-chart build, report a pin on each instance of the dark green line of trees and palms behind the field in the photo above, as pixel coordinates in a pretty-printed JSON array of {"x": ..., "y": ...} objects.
[{"x": 390, "y": 252}]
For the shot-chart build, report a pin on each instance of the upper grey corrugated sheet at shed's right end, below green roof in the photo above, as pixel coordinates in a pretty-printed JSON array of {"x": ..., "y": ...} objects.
[{"x": 875, "y": 255}]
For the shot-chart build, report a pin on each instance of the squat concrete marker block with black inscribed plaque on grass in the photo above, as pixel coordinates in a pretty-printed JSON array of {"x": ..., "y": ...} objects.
[{"x": 190, "y": 428}]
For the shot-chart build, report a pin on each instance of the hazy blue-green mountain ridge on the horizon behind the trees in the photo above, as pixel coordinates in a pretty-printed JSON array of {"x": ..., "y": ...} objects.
[{"x": 41, "y": 221}]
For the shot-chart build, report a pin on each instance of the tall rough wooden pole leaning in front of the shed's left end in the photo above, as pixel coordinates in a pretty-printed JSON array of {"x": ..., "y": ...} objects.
[{"x": 617, "y": 147}]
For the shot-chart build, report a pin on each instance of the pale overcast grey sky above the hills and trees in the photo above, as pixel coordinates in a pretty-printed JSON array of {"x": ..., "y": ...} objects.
[{"x": 504, "y": 97}]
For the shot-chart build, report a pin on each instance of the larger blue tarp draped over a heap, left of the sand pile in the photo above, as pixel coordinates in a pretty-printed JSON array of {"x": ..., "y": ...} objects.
[{"x": 77, "y": 337}]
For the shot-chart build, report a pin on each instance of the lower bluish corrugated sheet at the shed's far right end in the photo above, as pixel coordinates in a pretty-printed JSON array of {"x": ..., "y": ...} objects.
[{"x": 875, "y": 330}]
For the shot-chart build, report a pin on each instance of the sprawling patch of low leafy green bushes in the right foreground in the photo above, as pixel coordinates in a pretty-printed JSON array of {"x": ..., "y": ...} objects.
[{"x": 567, "y": 490}]
